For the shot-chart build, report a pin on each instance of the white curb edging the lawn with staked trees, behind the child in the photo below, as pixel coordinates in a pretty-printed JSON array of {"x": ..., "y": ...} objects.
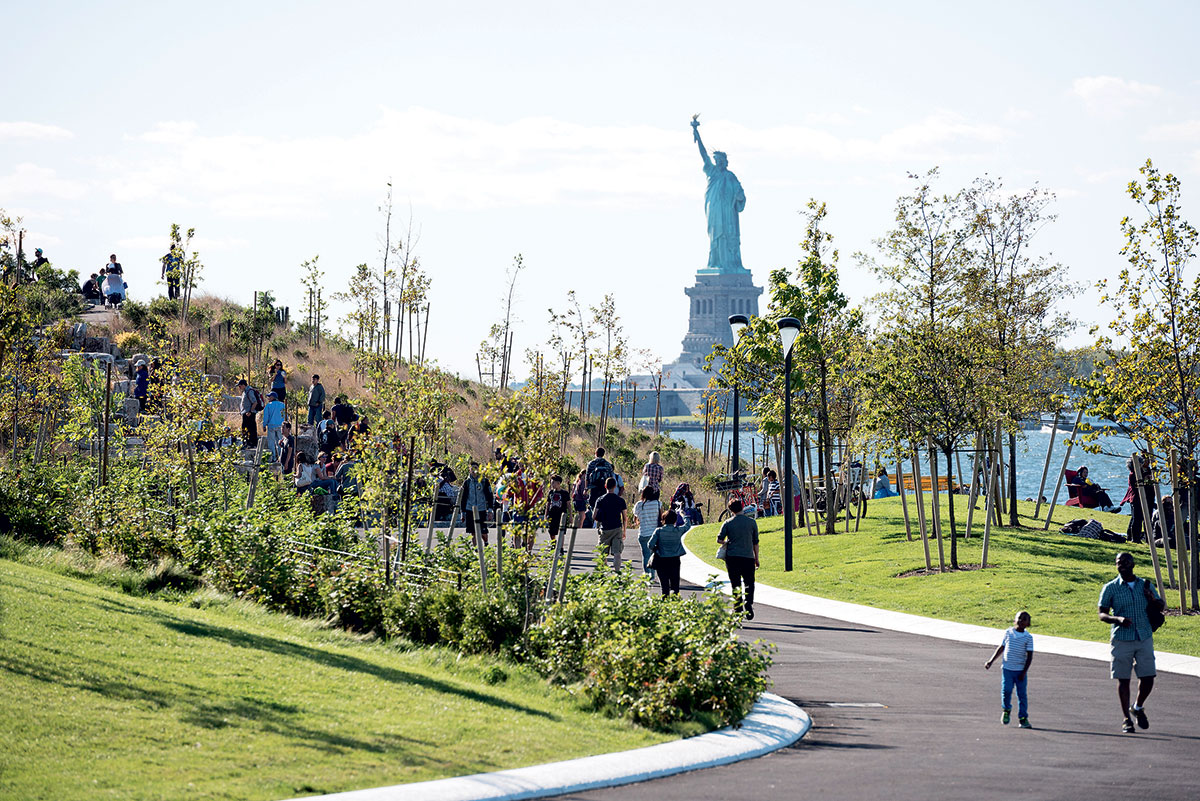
[{"x": 697, "y": 571}]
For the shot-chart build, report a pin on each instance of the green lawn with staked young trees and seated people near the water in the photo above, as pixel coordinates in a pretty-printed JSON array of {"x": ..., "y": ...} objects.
[{"x": 1055, "y": 576}]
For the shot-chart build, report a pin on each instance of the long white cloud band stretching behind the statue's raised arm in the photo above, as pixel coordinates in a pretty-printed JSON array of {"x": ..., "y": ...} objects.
[{"x": 443, "y": 161}]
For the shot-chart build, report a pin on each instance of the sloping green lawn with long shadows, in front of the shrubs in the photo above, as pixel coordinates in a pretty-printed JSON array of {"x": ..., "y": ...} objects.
[{"x": 112, "y": 696}]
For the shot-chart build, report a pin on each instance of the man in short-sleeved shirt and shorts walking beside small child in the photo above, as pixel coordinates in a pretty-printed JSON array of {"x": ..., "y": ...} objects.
[{"x": 1124, "y": 604}]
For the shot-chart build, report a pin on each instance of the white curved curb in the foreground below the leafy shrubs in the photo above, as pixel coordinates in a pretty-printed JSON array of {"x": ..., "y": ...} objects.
[{"x": 773, "y": 724}]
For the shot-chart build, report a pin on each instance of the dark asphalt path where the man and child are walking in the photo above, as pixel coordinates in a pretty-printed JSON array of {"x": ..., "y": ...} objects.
[{"x": 904, "y": 716}]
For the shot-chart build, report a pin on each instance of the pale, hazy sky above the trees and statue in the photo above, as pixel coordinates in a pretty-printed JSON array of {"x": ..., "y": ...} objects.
[{"x": 561, "y": 131}]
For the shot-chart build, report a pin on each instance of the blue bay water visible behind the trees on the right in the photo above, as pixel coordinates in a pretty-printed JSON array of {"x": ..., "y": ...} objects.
[{"x": 1109, "y": 472}]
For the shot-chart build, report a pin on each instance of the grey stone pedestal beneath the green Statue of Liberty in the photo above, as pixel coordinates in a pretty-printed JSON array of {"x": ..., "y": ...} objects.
[{"x": 713, "y": 299}]
